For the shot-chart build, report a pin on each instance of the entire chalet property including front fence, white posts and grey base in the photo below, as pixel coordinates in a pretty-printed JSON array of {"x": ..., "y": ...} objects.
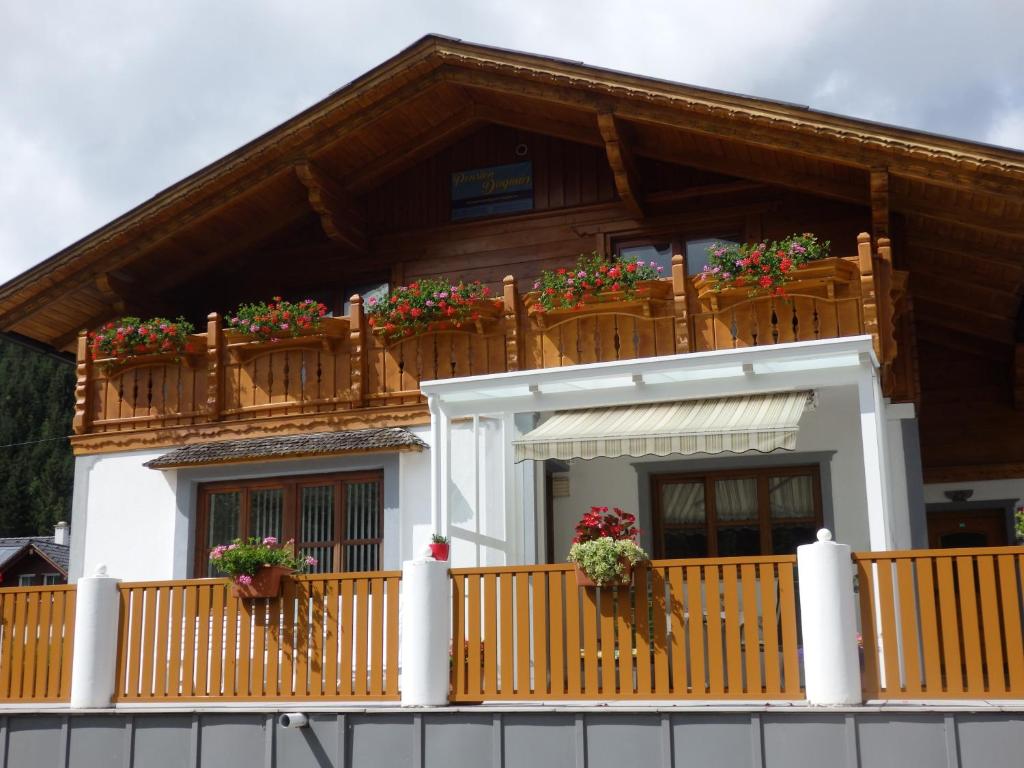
[{"x": 877, "y": 394}]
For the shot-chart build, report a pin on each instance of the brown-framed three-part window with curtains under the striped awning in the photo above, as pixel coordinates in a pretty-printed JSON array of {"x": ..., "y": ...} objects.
[{"x": 741, "y": 513}]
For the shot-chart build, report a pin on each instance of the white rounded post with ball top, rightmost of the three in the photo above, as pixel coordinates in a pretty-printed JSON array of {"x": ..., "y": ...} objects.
[{"x": 832, "y": 667}]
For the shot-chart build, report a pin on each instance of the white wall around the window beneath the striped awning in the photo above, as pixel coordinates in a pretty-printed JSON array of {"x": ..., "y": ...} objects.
[{"x": 833, "y": 428}]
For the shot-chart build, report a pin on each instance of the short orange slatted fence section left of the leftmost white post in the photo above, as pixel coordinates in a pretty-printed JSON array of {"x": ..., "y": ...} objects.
[{"x": 37, "y": 632}]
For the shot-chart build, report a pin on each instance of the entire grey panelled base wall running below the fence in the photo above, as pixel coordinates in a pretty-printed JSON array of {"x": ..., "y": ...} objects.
[{"x": 777, "y": 738}]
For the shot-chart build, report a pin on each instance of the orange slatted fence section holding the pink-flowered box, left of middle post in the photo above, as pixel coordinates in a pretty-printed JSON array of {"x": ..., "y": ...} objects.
[{"x": 329, "y": 636}]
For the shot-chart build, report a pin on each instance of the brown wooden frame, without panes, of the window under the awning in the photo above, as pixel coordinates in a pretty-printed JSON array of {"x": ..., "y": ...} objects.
[{"x": 711, "y": 526}]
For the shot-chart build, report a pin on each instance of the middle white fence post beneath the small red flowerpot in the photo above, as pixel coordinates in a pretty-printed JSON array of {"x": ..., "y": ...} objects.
[{"x": 426, "y": 632}]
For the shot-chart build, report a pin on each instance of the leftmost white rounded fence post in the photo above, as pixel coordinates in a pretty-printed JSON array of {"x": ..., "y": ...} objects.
[{"x": 95, "y": 668}]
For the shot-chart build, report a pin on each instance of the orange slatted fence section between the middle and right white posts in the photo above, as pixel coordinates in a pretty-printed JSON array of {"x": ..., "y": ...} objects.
[{"x": 687, "y": 629}]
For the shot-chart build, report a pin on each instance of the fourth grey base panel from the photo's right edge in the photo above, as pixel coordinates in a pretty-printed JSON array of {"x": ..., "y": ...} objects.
[{"x": 700, "y": 742}]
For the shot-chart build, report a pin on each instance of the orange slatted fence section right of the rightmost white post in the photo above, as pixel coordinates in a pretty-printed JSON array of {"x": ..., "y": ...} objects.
[{"x": 943, "y": 624}]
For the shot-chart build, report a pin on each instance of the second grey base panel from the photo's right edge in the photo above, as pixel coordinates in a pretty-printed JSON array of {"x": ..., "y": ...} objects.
[{"x": 900, "y": 741}]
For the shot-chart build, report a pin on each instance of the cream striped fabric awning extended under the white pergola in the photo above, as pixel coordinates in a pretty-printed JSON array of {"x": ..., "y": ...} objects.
[{"x": 716, "y": 425}]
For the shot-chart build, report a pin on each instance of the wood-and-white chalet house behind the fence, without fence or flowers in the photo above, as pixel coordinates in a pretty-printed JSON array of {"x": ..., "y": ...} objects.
[{"x": 882, "y": 403}]
